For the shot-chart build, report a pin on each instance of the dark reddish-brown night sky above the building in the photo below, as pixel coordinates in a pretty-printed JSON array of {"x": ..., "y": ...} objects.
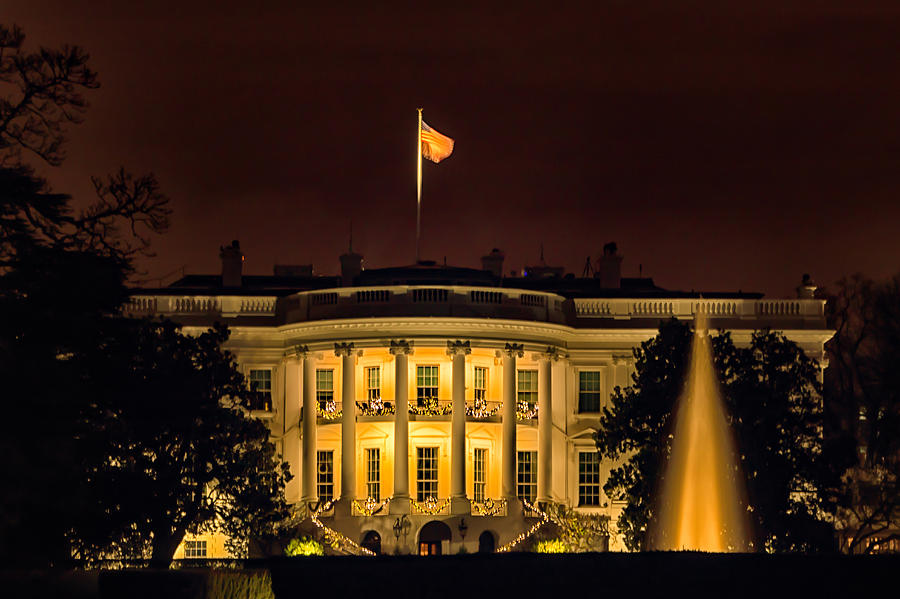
[{"x": 723, "y": 148}]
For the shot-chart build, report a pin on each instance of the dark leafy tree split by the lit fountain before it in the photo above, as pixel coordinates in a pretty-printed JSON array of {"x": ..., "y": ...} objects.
[{"x": 772, "y": 395}]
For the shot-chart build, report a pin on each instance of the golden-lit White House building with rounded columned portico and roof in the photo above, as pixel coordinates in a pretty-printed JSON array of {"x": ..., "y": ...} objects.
[{"x": 433, "y": 404}]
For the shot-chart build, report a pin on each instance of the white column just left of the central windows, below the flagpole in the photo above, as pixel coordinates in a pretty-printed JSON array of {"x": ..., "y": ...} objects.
[{"x": 400, "y": 500}]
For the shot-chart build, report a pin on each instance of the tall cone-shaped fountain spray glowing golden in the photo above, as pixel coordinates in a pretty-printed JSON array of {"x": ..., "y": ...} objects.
[{"x": 701, "y": 505}]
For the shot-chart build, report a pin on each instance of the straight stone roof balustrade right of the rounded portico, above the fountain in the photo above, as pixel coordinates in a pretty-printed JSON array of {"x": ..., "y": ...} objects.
[{"x": 689, "y": 307}]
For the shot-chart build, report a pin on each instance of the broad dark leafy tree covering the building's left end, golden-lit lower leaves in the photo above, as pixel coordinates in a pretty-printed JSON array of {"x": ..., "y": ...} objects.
[{"x": 172, "y": 448}]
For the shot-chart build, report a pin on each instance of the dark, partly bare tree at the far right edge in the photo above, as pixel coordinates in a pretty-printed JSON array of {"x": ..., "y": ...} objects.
[{"x": 863, "y": 400}]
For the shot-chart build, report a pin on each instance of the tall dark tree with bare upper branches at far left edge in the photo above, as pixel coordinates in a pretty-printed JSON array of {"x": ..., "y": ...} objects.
[{"x": 62, "y": 278}]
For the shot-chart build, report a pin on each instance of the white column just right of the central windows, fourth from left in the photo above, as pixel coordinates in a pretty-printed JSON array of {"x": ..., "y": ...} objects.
[{"x": 459, "y": 503}]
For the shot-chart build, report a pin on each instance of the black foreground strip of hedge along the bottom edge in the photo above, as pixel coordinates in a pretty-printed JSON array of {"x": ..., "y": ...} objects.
[{"x": 626, "y": 576}]
